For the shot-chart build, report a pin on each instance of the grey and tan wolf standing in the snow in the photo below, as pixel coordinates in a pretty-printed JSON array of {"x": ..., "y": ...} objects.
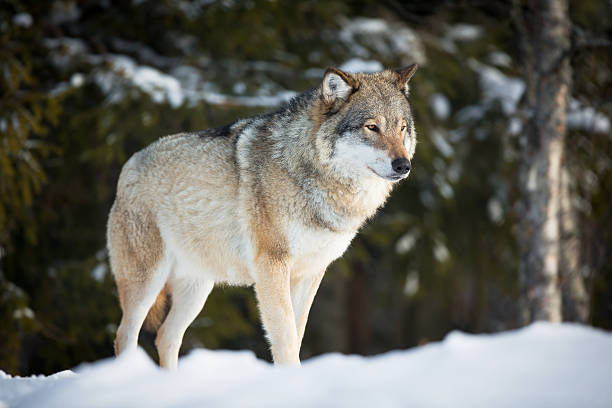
[{"x": 268, "y": 201}]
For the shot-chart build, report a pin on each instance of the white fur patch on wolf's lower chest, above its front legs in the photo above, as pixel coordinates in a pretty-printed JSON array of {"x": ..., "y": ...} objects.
[{"x": 313, "y": 249}]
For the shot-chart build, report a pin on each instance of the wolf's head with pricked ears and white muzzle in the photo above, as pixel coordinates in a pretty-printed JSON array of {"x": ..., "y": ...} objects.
[{"x": 367, "y": 123}]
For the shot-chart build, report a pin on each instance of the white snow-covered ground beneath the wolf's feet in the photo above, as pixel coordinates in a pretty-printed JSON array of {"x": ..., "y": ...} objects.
[{"x": 543, "y": 365}]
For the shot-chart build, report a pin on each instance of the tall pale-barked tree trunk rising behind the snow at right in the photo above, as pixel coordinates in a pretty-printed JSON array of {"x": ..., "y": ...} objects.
[{"x": 544, "y": 27}]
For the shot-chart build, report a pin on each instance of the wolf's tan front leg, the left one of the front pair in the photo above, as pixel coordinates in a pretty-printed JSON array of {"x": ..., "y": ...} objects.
[{"x": 272, "y": 288}]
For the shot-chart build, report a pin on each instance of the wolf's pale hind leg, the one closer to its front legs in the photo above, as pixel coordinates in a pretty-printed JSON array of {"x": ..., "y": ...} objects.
[{"x": 188, "y": 298}]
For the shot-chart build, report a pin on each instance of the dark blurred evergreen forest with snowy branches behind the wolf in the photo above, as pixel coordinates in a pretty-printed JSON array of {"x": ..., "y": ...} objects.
[{"x": 85, "y": 84}]
